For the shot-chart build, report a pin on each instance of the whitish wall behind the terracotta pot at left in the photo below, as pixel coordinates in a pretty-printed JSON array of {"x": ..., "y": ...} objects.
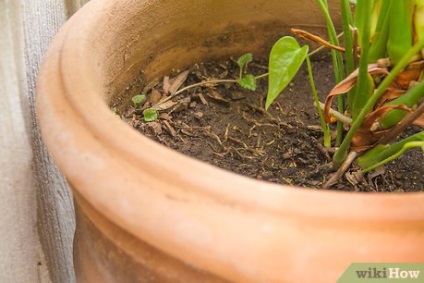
[{"x": 37, "y": 219}]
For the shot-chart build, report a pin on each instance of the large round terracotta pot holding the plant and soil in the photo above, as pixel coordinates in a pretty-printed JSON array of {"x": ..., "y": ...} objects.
[{"x": 148, "y": 214}]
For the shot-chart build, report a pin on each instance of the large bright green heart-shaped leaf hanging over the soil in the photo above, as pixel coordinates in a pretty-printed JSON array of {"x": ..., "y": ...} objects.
[{"x": 284, "y": 61}]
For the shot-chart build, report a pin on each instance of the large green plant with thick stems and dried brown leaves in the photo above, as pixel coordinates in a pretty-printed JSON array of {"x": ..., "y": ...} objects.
[{"x": 382, "y": 96}]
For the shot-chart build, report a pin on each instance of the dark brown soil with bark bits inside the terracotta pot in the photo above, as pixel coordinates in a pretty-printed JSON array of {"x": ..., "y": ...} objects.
[{"x": 227, "y": 126}]
